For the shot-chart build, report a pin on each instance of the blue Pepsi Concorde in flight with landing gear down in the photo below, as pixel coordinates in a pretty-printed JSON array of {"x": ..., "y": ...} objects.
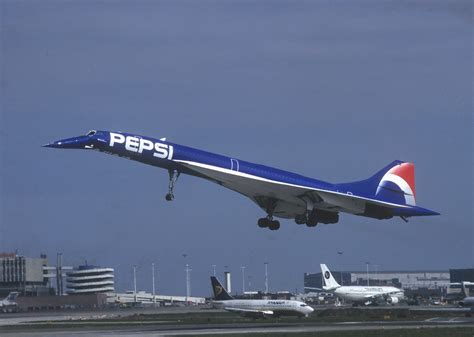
[{"x": 388, "y": 193}]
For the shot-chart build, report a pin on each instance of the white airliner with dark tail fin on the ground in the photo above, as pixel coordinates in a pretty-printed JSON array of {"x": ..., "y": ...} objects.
[{"x": 257, "y": 308}]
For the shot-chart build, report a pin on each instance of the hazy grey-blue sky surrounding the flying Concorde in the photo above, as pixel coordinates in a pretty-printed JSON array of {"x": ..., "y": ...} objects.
[{"x": 334, "y": 90}]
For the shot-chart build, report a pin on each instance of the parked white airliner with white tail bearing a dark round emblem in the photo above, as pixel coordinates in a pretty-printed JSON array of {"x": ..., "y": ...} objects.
[{"x": 361, "y": 294}]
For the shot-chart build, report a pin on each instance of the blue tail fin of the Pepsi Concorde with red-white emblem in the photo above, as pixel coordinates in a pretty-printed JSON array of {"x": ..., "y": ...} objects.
[{"x": 394, "y": 183}]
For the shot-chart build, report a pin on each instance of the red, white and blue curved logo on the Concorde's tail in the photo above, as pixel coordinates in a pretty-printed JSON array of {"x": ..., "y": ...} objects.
[{"x": 399, "y": 182}]
